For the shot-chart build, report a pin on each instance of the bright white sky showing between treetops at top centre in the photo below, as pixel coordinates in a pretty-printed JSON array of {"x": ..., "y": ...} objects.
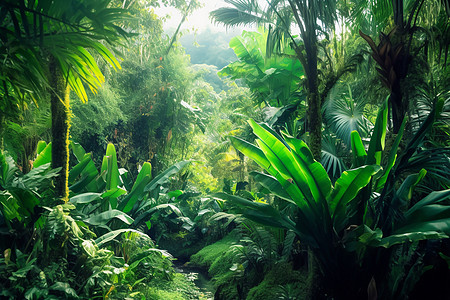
[{"x": 199, "y": 19}]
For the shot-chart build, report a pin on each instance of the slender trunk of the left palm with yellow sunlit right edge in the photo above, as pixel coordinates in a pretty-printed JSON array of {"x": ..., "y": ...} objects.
[{"x": 60, "y": 107}]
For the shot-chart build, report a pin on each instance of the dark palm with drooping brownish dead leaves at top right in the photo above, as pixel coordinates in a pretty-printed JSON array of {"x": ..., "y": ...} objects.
[{"x": 396, "y": 50}]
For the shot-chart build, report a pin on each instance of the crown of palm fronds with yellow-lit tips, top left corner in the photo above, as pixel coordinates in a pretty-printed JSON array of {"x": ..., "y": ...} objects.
[{"x": 66, "y": 30}]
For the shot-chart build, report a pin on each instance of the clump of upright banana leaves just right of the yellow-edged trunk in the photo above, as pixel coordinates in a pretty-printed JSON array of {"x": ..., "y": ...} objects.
[{"x": 109, "y": 197}]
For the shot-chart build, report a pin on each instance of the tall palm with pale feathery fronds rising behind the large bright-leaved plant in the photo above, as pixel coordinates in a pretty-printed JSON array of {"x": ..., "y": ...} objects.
[{"x": 311, "y": 17}]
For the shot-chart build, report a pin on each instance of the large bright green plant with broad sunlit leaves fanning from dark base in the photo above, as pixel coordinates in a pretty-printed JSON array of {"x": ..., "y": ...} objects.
[{"x": 295, "y": 176}]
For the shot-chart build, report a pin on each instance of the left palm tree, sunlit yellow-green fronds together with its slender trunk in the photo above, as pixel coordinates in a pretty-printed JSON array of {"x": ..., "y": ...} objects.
[{"x": 47, "y": 51}]
